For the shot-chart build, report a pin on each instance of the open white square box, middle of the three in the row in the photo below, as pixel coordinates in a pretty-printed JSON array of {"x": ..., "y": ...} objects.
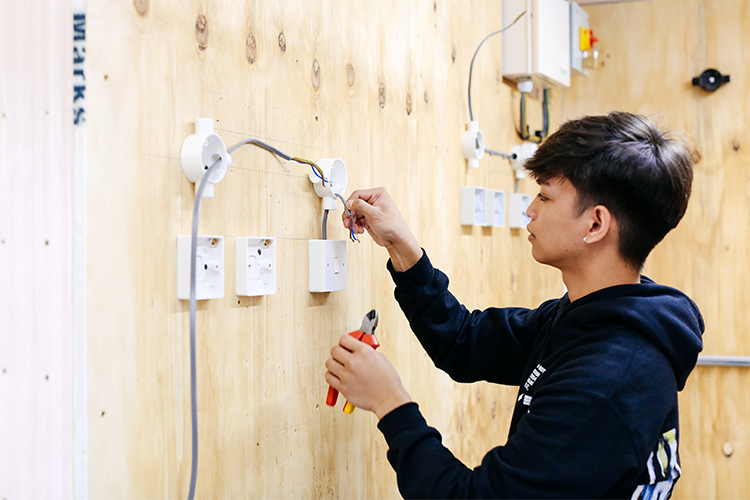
[{"x": 255, "y": 266}]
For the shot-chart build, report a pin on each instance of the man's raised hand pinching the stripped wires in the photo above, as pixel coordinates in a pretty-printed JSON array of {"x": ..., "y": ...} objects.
[{"x": 375, "y": 211}]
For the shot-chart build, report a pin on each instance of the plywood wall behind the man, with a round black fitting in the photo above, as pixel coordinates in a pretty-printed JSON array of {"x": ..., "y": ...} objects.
[{"x": 650, "y": 52}]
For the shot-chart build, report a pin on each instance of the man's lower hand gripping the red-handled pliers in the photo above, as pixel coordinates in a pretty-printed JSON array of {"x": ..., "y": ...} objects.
[{"x": 365, "y": 377}]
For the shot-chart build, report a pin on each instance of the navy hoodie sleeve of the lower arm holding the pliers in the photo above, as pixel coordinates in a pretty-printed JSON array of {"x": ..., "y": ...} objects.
[{"x": 568, "y": 446}]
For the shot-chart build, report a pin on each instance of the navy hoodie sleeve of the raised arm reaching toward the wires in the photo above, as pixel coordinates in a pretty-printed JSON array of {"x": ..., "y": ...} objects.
[{"x": 491, "y": 345}]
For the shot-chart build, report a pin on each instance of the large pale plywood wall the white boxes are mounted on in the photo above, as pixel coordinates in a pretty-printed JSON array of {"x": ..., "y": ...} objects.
[{"x": 381, "y": 85}]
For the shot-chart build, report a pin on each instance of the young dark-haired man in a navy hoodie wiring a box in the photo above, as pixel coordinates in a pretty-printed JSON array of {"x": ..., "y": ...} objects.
[{"x": 598, "y": 370}]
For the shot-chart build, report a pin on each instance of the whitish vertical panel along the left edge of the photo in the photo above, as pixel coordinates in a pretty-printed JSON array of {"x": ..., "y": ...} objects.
[{"x": 36, "y": 243}]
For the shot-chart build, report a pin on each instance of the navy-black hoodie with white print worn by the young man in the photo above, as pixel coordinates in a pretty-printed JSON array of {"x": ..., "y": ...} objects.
[{"x": 596, "y": 414}]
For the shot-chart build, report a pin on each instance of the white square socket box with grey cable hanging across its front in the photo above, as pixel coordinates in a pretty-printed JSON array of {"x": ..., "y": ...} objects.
[{"x": 209, "y": 267}]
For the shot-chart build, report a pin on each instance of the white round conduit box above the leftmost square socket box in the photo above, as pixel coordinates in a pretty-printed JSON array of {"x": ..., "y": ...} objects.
[{"x": 200, "y": 151}]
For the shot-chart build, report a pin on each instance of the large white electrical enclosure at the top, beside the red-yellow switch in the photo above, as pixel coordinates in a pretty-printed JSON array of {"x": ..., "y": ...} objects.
[{"x": 538, "y": 45}]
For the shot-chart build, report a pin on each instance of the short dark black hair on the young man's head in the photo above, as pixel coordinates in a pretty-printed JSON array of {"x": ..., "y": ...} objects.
[{"x": 624, "y": 162}]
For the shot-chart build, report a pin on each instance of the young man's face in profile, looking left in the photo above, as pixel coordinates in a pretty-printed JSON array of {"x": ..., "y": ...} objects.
[{"x": 556, "y": 233}]
